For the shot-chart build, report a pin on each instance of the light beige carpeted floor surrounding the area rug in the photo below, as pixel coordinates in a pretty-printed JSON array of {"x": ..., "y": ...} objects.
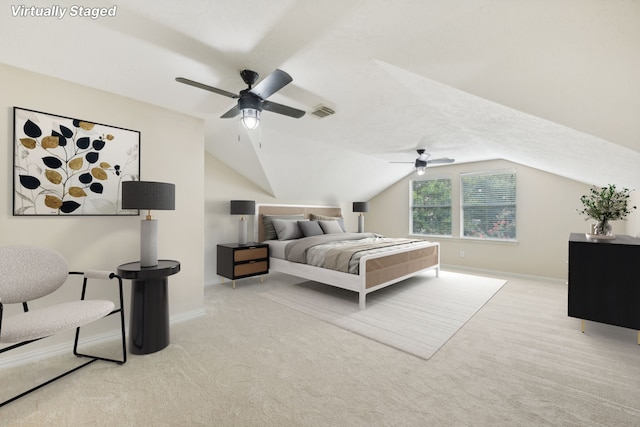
[{"x": 519, "y": 361}]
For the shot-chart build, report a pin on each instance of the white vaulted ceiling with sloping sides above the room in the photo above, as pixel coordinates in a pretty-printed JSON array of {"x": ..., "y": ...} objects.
[{"x": 549, "y": 84}]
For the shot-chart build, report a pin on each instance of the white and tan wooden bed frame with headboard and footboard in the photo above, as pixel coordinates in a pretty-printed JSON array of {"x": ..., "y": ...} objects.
[{"x": 376, "y": 271}]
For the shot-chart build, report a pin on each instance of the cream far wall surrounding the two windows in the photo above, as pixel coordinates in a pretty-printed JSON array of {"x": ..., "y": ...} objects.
[{"x": 546, "y": 215}]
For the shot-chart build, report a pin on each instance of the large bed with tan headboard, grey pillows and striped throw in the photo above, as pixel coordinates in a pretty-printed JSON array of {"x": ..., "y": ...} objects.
[{"x": 375, "y": 268}]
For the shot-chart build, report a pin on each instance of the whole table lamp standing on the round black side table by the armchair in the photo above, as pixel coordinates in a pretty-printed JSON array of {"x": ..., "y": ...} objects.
[{"x": 148, "y": 195}]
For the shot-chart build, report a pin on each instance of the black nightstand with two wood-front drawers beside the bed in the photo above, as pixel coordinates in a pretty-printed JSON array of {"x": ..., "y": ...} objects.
[{"x": 236, "y": 261}]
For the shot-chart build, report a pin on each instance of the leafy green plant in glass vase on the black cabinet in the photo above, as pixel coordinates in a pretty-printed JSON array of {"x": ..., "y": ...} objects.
[{"x": 605, "y": 204}]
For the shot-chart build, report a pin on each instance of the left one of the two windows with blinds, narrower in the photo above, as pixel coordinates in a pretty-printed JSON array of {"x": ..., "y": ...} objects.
[{"x": 431, "y": 207}]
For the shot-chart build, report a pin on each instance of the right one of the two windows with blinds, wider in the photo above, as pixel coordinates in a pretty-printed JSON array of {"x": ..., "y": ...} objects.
[{"x": 489, "y": 205}]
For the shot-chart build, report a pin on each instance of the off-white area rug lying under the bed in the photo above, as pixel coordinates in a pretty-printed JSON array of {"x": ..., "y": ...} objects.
[{"x": 417, "y": 316}]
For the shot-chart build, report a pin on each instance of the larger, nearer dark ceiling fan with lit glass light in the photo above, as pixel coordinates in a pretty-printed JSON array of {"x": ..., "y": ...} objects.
[{"x": 253, "y": 99}]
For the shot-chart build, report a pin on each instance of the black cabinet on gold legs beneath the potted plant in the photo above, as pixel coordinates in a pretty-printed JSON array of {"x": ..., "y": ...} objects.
[{"x": 604, "y": 282}]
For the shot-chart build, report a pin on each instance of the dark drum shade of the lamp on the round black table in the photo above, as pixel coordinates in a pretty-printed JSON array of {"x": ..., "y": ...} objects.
[{"x": 148, "y": 195}]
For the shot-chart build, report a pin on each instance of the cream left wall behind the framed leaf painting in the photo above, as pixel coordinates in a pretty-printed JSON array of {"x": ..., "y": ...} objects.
[{"x": 172, "y": 147}]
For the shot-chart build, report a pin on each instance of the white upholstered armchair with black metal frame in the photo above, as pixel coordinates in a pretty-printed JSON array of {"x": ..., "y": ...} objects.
[{"x": 28, "y": 273}]
